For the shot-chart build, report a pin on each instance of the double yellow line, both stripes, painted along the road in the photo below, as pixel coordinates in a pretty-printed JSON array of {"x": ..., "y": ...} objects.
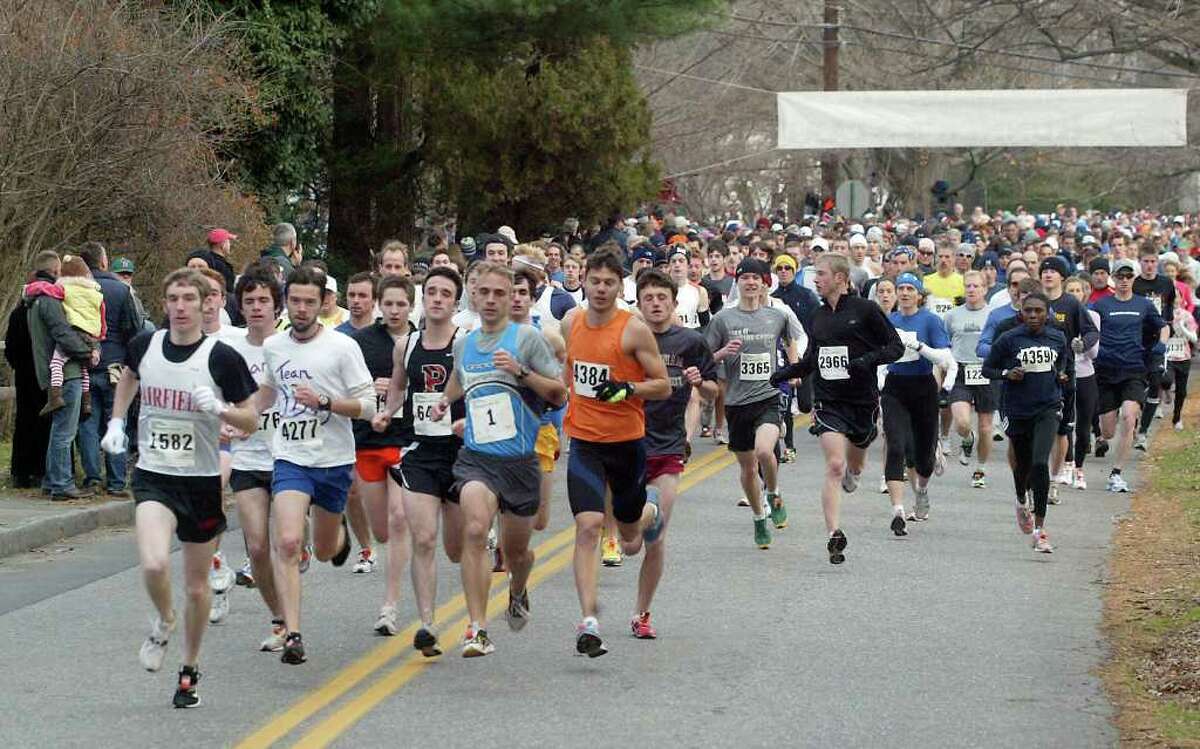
[{"x": 554, "y": 554}]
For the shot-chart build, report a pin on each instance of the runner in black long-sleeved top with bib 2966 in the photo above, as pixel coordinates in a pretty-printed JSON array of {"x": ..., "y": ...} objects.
[{"x": 850, "y": 339}]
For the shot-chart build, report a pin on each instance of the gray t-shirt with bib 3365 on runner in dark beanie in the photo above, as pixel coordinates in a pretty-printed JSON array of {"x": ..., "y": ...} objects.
[{"x": 761, "y": 332}]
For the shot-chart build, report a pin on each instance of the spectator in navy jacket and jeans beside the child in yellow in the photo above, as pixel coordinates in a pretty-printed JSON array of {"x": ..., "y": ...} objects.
[{"x": 124, "y": 320}]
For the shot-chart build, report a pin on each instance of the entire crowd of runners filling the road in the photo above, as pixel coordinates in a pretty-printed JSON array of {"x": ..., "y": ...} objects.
[{"x": 440, "y": 402}]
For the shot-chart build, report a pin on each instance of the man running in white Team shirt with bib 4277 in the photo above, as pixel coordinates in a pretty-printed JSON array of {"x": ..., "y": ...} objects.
[{"x": 319, "y": 382}]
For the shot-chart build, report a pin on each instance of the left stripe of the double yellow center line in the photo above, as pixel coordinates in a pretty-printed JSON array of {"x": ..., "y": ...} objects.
[{"x": 393, "y": 648}]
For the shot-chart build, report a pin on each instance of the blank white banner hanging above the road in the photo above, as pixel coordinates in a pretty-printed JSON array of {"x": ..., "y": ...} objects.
[{"x": 964, "y": 119}]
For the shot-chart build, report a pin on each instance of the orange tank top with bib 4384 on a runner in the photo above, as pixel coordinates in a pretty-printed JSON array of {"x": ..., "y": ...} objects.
[{"x": 593, "y": 356}]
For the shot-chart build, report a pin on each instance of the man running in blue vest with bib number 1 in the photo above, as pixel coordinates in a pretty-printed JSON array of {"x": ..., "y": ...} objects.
[{"x": 508, "y": 375}]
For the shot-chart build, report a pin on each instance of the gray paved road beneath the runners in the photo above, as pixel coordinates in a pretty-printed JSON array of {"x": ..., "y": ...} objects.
[{"x": 958, "y": 636}]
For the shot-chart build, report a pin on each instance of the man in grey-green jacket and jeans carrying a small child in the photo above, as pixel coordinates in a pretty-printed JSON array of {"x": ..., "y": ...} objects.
[{"x": 49, "y": 328}]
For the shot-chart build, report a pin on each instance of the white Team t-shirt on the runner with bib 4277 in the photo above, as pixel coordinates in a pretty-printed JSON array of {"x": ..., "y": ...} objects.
[{"x": 333, "y": 365}]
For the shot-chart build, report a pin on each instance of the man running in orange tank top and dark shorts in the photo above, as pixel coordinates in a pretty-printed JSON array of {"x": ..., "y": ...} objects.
[{"x": 613, "y": 367}]
